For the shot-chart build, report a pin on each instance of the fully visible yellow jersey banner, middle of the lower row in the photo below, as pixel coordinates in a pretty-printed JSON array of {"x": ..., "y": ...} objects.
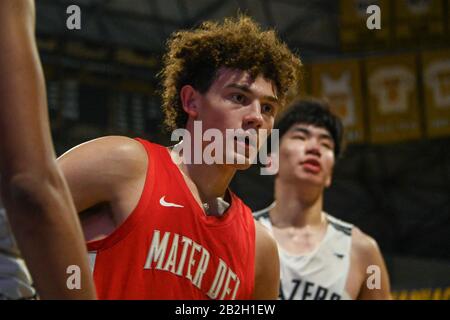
[{"x": 392, "y": 99}]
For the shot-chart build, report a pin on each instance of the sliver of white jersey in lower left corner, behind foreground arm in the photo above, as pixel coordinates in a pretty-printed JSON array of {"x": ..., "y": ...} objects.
[{"x": 15, "y": 280}]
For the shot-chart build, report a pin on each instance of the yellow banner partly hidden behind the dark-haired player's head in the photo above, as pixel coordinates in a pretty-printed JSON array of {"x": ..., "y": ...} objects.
[{"x": 340, "y": 84}]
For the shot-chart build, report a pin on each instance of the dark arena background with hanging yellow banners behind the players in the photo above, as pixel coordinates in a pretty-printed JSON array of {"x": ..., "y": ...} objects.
[{"x": 391, "y": 86}]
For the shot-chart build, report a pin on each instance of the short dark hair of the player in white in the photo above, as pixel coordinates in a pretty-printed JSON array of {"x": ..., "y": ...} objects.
[{"x": 313, "y": 112}]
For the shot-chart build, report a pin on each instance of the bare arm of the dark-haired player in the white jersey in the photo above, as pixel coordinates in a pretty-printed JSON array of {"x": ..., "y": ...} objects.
[{"x": 373, "y": 267}]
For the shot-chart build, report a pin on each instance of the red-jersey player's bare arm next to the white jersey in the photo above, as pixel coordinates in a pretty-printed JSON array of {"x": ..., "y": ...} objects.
[{"x": 267, "y": 266}]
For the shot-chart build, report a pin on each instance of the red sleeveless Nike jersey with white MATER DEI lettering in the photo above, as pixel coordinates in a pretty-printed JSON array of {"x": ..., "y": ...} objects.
[{"x": 169, "y": 249}]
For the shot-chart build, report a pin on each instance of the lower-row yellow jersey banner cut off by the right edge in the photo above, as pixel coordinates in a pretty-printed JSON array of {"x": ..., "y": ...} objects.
[{"x": 436, "y": 84}]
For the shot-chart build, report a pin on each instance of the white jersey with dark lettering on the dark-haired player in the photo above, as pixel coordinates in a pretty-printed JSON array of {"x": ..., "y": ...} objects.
[{"x": 321, "y": 274}]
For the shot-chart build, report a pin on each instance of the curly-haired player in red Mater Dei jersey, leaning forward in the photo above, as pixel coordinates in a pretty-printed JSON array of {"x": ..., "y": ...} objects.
[{"x": 161, "y": 228}]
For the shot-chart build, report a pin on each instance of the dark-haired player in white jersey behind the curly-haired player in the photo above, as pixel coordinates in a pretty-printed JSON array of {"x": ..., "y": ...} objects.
[{"x": 321, "y": 257}]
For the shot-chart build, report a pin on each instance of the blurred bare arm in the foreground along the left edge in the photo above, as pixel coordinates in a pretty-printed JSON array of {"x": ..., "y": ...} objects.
[{"x": 36, "y": 198}]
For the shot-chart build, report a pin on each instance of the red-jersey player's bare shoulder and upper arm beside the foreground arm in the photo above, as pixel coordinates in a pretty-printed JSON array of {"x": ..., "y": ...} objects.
[{"x": 109, "y": 170}]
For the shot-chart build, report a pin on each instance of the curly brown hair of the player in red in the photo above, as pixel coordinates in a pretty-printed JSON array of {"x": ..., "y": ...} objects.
[{"x": 195, "y": 56}]
